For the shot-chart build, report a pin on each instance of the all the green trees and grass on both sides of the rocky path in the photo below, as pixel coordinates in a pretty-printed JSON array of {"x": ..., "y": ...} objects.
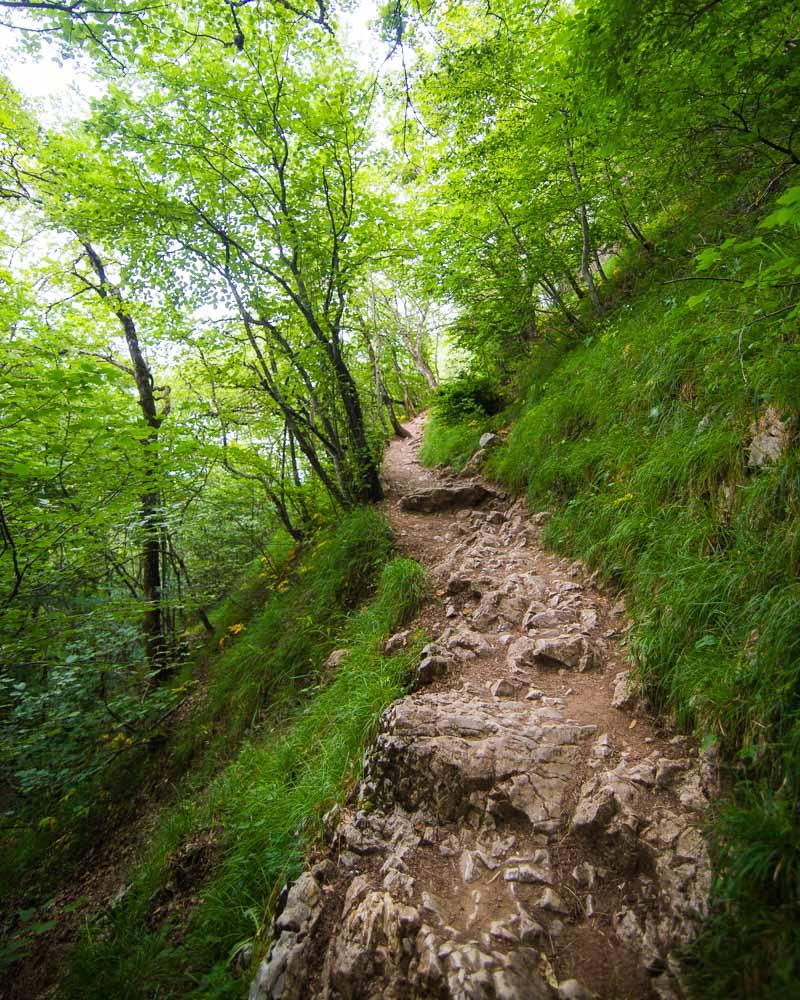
[{"x": 221, "y": 290}]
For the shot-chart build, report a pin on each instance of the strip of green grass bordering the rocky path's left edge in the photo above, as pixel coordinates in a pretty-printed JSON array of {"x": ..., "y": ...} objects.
[{"x": 245, "y": 817}]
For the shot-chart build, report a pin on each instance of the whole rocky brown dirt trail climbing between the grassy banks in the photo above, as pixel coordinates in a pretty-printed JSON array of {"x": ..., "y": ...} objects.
[{"x": 523, "y": 828}]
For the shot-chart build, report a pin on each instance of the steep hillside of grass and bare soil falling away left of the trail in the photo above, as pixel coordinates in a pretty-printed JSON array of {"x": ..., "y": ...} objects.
[{"x": 202, "y": 830}]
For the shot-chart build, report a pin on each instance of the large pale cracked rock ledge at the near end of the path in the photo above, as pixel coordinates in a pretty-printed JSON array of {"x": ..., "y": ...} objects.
[{"x": 456, "y": 863}]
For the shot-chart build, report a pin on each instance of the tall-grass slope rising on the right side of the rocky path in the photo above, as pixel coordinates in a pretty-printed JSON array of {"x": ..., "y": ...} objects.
[{"x": 636, "y": 441}]
